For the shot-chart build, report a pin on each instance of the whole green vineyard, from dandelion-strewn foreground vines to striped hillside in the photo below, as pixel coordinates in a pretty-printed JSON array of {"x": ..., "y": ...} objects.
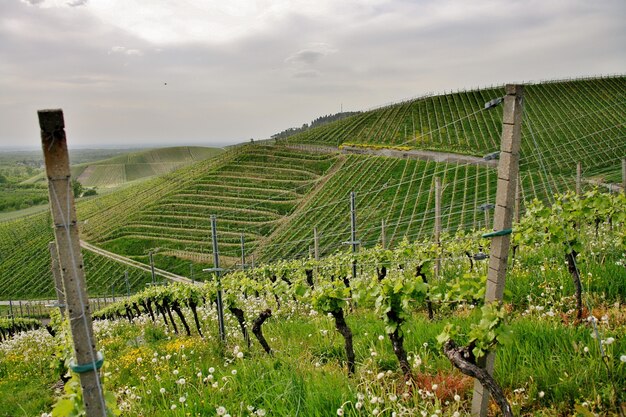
[{"x": 314, "y": 328}]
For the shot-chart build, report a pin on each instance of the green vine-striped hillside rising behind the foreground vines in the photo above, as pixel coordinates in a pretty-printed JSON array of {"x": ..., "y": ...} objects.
[{"x": 276, "y": 195}]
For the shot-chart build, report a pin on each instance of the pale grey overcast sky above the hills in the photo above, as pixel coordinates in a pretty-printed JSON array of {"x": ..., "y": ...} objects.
[{"x": 135, "y": 73}]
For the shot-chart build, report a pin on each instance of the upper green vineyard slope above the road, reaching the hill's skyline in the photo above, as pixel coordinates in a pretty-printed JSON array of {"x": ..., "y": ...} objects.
[{"x": 564, "y": 122}]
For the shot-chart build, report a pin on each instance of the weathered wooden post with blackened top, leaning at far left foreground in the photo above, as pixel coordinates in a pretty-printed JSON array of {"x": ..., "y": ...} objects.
[{"x": 54, "y": 144}]
